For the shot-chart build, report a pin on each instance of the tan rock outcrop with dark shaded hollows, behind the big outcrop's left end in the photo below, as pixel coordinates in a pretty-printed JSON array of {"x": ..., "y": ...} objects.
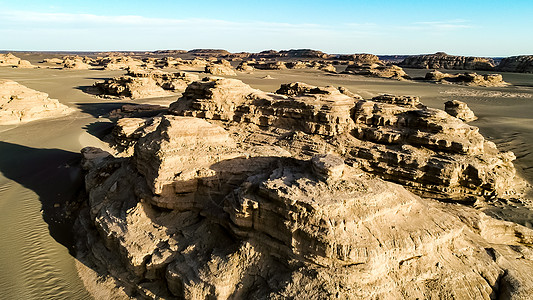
[{"x": 145, "y": 84}]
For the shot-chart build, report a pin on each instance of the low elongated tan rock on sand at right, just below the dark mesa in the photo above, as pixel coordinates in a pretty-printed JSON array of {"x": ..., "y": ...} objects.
[{"x": 470, "y": 79}]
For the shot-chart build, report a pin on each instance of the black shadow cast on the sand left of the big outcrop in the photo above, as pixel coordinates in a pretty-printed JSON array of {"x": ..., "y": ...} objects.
[{"x": 55, "y": 176}]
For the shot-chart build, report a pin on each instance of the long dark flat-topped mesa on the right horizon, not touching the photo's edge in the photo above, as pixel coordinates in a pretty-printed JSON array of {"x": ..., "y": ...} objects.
[{"x": 441, "y": 60}]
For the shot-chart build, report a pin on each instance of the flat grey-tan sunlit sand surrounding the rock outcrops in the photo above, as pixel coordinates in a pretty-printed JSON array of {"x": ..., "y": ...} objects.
[{"x": 39, "y": 174}]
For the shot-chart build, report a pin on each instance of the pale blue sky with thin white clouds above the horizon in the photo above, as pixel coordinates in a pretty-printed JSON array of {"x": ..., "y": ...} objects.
[{"x": 467, "y": 27}]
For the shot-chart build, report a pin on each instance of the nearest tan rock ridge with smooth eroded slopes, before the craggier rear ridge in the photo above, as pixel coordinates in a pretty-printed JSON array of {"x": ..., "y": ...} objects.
[{"x": 214, "y": 215}]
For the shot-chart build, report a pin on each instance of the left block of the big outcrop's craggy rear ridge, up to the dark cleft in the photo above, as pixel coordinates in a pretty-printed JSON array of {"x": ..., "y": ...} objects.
[{"x": 324, "y": 111}]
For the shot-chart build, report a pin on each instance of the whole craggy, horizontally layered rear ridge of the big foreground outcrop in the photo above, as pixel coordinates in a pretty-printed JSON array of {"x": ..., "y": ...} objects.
[{"x": 395, "y": 137}]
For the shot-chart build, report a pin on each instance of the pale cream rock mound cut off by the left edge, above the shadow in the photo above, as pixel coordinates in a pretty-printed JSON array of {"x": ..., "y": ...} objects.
[{"x": 21, "y": 104}]
